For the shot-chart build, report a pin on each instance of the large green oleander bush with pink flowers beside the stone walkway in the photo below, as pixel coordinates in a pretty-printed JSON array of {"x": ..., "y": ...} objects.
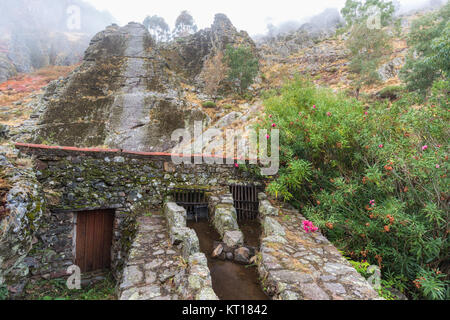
[{"x": 375, "y": 179}]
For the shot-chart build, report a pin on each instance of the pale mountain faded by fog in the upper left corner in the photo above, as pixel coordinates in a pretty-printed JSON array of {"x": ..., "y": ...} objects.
[{"x": 33, "y": 35}]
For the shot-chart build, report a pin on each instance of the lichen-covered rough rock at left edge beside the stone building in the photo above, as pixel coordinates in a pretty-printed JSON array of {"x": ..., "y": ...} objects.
[{"x": 25, "y": 214}]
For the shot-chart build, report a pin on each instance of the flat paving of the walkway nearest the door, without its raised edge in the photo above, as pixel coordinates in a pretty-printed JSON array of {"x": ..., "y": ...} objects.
[{"x": 152, "y": 263}]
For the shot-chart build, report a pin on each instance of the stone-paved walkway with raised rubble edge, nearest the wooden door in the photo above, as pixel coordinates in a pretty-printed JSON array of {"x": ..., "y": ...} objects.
[{"x": 165, "y": 262}]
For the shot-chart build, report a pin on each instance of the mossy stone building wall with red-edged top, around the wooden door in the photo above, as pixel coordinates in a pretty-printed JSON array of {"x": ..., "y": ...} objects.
[{"x": 132, "y": 183}]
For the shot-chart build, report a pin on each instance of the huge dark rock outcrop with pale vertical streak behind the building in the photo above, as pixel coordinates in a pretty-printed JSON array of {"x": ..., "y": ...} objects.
[{"x": 128, "y": 92}]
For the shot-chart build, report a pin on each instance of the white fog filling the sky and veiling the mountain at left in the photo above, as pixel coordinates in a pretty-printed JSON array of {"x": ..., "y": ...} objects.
[{"x": 37, "y": 33}]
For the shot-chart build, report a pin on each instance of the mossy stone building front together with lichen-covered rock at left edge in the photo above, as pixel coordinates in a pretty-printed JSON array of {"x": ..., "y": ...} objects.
[{"x": 70, "y": 180}]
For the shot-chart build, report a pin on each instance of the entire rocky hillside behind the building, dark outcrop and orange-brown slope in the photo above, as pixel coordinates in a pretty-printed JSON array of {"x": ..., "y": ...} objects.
[{"x": 132, "y": 93}]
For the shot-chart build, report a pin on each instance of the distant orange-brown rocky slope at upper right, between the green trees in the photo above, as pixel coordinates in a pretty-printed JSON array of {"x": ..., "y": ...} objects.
[{"x": 317, "y": 51}]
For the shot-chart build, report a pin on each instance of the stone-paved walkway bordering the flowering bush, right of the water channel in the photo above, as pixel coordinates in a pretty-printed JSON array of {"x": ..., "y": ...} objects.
[{"x": 296, "y": 265}]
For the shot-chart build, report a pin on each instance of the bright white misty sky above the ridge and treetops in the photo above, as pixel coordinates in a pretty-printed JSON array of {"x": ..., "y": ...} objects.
[{"x": 250, "y": 15}]
